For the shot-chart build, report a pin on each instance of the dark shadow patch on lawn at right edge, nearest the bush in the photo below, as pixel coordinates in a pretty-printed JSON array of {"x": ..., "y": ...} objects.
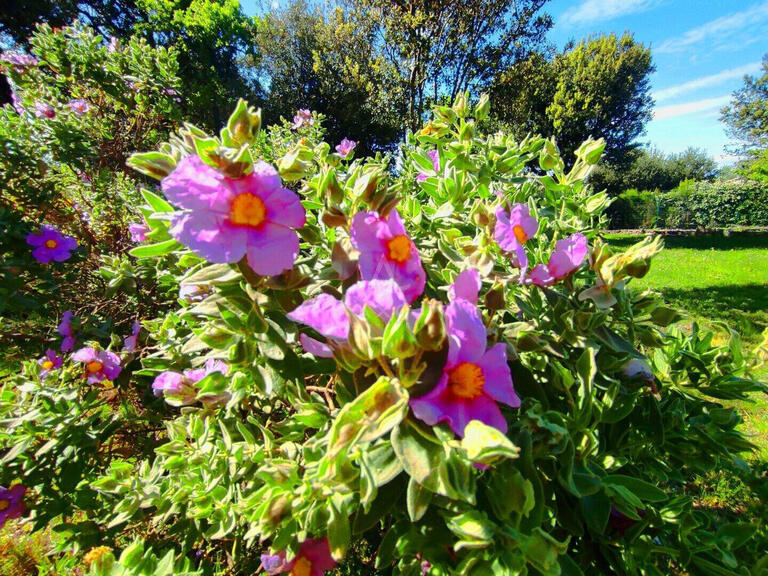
[{"x": 744, "y": 307}]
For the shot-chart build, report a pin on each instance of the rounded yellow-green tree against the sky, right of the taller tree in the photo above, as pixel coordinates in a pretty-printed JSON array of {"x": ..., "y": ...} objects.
[{"x": 598, "y": 87}]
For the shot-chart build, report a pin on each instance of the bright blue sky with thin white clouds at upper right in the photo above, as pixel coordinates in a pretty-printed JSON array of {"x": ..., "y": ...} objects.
[{"x": 701, "y": 49}]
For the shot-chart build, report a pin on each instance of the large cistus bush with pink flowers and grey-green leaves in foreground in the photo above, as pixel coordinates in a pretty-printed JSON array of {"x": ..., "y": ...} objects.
[{"x": 428, "y": 364}]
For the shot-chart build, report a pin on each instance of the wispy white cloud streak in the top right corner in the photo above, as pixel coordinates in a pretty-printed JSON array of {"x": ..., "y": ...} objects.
[{"x": 749, "y": 25}]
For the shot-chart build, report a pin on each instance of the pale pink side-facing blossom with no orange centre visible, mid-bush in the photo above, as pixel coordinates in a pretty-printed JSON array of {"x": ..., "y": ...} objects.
[{"x": 330, "y": 317}]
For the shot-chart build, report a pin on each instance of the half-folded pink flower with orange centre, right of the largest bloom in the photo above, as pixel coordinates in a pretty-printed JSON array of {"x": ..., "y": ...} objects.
[{"x": 386, "y": 251}]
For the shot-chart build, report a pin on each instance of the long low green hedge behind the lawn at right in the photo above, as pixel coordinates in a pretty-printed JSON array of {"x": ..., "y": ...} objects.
[{"x": 693, "y": 205}]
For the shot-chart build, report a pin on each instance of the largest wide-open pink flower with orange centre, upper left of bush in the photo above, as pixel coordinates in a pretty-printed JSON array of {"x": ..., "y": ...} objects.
[{"x": 225, "y": 219}]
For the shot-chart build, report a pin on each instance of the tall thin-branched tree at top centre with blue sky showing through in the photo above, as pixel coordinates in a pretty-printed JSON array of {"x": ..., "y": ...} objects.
[{"x": 442, "y": 48}]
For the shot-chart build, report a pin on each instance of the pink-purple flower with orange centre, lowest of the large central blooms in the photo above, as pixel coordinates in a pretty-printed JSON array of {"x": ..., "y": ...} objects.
[{"x": 474, "y": 379}]
